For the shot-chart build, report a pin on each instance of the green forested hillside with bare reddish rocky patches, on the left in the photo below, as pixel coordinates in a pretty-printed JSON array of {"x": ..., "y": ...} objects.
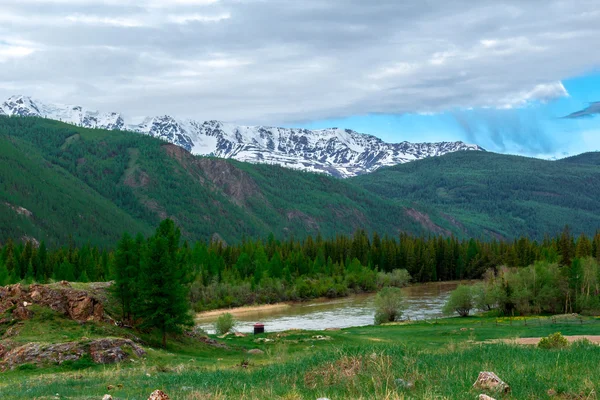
[{"x": 96, "y": 184}]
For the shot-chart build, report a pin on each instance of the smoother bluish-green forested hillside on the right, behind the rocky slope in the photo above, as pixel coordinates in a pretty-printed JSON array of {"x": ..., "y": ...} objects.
[{"x": 488, "y": 194}]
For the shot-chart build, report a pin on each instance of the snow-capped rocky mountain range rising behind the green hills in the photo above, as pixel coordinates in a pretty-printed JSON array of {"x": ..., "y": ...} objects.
[{"x": 339, "y": 152}]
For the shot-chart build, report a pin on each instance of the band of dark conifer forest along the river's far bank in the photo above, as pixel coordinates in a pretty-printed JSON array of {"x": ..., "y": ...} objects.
[{"x": 271, "y": 270}]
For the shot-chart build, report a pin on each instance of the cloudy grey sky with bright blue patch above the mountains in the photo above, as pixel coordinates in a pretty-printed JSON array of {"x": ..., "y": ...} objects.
[{"x": 501, "y": 73}]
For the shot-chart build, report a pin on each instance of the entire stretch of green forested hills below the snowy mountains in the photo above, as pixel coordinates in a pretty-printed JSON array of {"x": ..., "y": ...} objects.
[{"x": 59, "y": 182}]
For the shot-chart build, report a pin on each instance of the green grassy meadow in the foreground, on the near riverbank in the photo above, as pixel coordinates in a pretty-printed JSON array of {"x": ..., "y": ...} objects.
[{"x": 442, "y": 359}]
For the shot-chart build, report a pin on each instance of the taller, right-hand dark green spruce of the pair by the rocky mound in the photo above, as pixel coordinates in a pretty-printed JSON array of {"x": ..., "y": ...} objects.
[{"x": 163, "y": 291}]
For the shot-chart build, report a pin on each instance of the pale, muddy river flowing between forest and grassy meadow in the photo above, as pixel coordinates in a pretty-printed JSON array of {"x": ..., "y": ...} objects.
[{"x": 422, "y": 301}]
